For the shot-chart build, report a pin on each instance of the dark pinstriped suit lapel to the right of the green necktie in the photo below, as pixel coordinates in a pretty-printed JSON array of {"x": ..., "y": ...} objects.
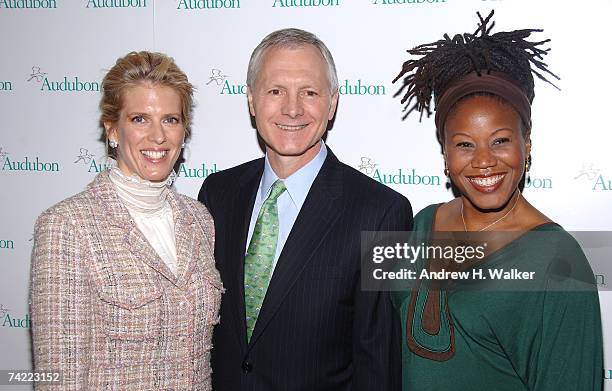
[{"x": 321, "y": 209}]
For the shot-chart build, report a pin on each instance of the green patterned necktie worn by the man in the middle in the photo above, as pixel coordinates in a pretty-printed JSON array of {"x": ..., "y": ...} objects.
[{"x": 260, "y": 256}]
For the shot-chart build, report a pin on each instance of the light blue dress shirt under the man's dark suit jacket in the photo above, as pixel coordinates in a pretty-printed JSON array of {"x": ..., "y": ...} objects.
[{"x": 290, "y": 202}]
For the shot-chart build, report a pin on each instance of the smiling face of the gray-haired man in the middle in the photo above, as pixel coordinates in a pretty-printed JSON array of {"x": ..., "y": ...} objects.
[{"x": 291, "y": 101}]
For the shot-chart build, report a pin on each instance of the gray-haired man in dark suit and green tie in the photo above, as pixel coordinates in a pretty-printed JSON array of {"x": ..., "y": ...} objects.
[{"x": 288, "y": 230}]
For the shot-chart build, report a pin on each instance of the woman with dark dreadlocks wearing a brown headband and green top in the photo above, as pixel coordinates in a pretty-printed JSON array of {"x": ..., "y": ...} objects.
[{"x": 545, "y": 335}]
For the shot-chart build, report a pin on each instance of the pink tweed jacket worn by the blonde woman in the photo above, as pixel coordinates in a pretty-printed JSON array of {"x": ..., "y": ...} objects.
[{"x": 107, "y": 311}]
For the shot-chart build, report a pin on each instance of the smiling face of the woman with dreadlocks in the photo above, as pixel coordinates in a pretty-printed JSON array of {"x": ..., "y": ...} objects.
[{"x": 485, "y": 151}]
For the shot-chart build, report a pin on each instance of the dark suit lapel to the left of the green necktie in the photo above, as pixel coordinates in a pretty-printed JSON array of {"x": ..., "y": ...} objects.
[{"x": 241, "y": 211}]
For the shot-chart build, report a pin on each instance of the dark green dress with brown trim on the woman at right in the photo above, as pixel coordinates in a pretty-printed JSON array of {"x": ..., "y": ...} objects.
[{"x": 547, "y": 338}]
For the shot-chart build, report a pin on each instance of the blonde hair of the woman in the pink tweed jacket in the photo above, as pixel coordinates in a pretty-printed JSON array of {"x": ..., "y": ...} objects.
[{"x": 138, "y": 68}]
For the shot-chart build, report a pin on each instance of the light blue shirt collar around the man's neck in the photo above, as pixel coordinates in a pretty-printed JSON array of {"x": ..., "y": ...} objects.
[{"x": 297, "y": 184}]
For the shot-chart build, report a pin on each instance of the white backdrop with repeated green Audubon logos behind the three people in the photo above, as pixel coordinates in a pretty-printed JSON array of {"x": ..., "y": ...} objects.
[{"x": 54, "y": 54}]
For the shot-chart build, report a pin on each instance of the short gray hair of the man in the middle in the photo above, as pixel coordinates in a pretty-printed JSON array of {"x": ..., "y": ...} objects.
[{"x": 291, "y": 38}]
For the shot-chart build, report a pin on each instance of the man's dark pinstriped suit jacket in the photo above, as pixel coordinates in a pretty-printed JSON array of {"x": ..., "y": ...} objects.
[{"x": 317, "y": 330}]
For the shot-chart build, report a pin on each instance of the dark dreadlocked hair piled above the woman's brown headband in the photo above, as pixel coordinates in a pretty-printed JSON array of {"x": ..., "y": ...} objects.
[{"x": 446, "y": 60}]
